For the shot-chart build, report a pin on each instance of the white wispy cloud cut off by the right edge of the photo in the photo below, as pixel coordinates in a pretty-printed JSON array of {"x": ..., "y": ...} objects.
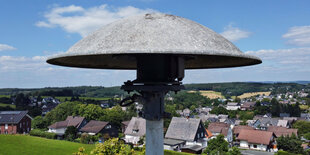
[{"x": 298, "y": 35}]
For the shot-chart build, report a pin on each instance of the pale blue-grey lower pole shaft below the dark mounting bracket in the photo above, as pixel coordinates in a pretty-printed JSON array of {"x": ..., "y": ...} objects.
[{"x": 154, "y": 137}]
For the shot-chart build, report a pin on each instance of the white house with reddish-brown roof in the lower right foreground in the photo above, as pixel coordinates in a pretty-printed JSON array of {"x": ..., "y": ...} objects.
[{"x": 256, "y": 140}]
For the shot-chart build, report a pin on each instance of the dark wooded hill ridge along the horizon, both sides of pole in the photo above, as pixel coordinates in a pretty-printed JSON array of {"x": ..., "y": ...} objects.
[{"x": 227, "y": 89}]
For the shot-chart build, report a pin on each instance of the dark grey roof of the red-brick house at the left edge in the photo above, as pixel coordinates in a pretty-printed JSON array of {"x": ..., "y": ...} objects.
[{"x": 11, "y": 117}]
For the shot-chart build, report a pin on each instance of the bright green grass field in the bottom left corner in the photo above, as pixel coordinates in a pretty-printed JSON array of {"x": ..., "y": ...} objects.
[{"x": 29, "y": 145}]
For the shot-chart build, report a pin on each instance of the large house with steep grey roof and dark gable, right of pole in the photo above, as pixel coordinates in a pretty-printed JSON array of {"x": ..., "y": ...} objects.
[{"x": 189, "y": 130}]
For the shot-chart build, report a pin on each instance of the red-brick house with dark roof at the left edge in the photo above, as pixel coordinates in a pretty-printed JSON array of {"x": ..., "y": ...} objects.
[{"x": 14, "y": 122}]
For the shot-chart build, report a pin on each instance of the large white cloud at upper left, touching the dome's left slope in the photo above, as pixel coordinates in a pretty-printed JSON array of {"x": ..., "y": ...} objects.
[{"x": 76, "y": 19}]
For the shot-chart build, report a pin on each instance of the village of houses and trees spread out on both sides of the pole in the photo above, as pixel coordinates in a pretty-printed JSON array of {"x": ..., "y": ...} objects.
[{"x": 244, "y": 123}]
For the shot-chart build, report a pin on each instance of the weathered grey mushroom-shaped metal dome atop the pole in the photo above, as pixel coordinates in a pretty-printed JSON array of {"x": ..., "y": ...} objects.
[{"x": 115, "y": 45}]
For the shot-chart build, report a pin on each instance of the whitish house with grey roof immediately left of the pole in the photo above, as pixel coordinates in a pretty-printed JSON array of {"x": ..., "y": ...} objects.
[{"x": 135, "y": 130}]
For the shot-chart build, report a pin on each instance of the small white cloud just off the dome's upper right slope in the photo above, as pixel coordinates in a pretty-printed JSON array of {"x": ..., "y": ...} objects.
[{"x": 234, "y": 33}]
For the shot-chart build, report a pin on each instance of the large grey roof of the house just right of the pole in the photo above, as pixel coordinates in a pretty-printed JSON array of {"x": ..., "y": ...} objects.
[{"x": 183, "y": 128}]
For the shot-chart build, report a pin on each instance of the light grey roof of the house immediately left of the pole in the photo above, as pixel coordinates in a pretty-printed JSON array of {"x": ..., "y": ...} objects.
[{"x": 138, "y": 124}]
